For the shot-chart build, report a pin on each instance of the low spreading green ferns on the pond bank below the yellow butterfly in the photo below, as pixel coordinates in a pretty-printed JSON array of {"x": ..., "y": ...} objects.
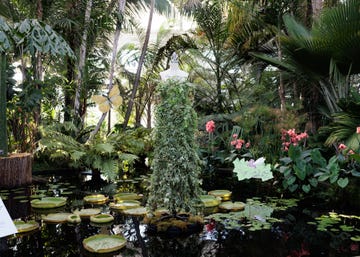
[{"x": 103, "y": 154}]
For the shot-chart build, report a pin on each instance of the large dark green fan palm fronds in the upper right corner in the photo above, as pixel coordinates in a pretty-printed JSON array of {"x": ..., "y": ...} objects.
[{"x": 329, "y": 47}]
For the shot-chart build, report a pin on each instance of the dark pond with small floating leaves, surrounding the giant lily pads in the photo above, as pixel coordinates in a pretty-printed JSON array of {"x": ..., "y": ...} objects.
[{"x": 267, "y": 226}]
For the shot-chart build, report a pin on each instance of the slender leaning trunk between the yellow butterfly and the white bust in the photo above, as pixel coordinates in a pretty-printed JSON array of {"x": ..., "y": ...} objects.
[{"x": 141, "y": 63}]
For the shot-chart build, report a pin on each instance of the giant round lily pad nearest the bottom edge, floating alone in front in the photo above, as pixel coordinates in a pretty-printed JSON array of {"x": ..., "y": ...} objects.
[{"x": 104, "y": 243}]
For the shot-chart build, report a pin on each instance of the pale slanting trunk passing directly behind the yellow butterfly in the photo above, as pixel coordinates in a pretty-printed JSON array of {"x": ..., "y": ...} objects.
[{"x": 121, "y": 8}]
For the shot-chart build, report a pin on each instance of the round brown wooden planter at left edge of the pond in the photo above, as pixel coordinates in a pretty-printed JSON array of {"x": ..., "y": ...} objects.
[{"x": 15, "y": 170}]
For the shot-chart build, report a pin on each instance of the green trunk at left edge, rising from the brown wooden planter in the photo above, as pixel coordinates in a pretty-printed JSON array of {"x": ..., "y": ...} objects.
[{"x": 3, "y": 124}]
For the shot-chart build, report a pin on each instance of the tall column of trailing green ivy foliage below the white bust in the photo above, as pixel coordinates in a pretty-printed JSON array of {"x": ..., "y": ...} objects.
[{"x": 175, "y": 183}]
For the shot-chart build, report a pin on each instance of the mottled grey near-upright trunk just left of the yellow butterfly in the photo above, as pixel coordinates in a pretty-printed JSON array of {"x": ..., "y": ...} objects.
[{"x": 81, "y": 64}]
